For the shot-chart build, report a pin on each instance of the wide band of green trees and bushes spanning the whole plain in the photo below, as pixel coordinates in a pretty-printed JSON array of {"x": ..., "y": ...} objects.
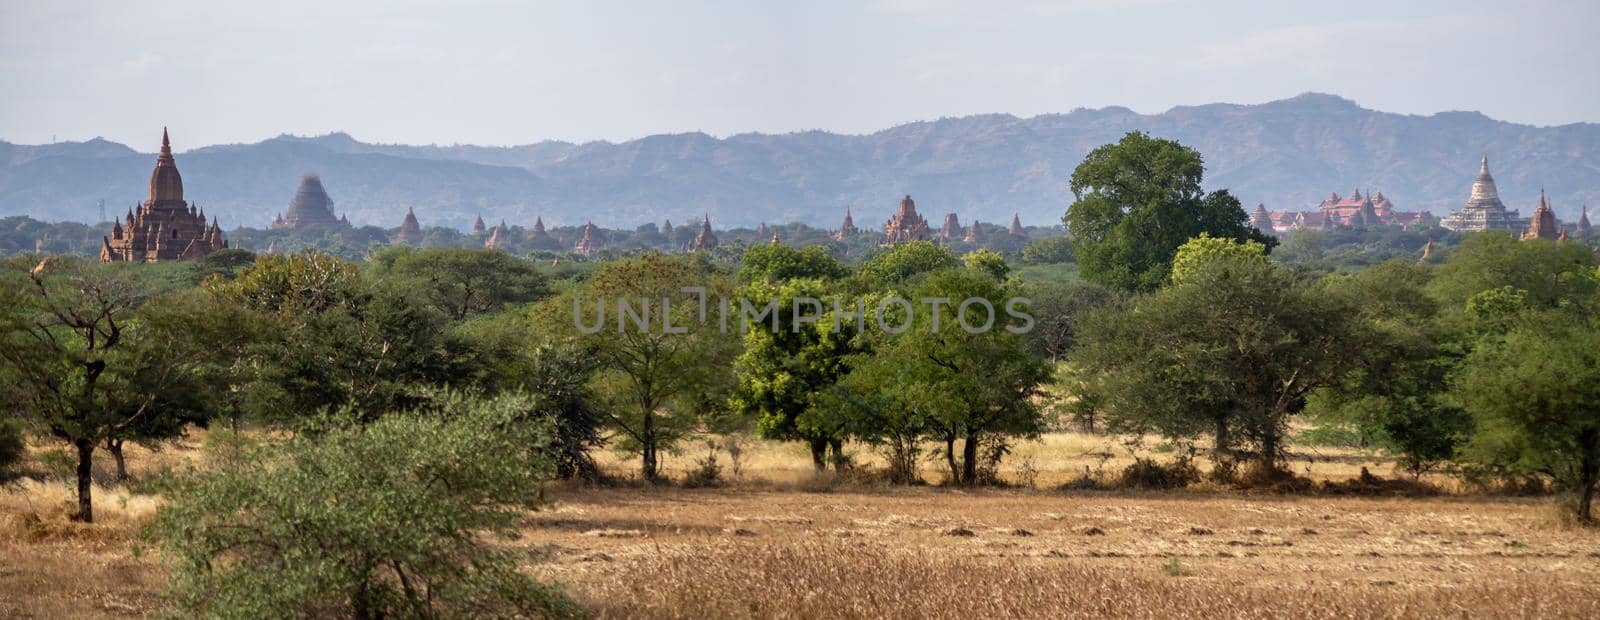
[{"x": 436, "y": 387}]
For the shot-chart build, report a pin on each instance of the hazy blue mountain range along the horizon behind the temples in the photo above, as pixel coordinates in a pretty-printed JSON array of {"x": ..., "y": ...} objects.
[{"x": 1287, "y": 154}]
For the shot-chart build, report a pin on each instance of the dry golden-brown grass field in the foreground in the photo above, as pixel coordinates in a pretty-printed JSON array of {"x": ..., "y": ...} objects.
[{"x": 775, "y": 542}]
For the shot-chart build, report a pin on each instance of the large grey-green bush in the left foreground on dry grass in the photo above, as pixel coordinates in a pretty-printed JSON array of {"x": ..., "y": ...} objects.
[{"x": 388, "y": 520}]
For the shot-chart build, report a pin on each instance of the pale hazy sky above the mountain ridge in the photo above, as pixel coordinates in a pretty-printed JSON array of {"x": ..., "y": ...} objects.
[{"x": 516, "y": 73}]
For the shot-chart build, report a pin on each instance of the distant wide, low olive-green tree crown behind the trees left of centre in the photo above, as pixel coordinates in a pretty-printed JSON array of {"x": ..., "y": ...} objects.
[{"x": 462, "y": 282}]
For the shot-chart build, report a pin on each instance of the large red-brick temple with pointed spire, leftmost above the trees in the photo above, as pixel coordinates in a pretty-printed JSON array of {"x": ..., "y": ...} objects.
[{"x": 164, "y": 228}]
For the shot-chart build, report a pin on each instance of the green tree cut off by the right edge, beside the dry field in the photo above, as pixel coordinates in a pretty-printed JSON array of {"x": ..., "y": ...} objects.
[{"x": 1535, "y": 395}]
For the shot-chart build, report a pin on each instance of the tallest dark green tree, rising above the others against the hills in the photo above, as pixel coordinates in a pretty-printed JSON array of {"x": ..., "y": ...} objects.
[{"x": 1135, "y": 202}]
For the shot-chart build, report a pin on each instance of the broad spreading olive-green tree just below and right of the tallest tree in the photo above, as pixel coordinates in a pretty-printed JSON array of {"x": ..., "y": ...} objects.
[{"x": 1242, "y": 341}]
